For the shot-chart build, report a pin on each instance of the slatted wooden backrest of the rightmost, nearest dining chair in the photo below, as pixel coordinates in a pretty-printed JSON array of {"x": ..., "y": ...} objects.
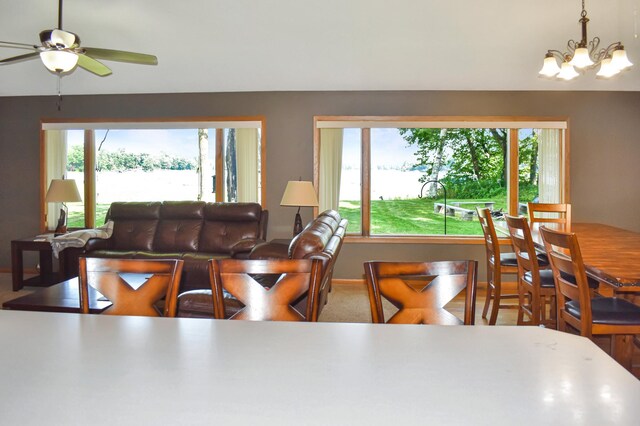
[{"x": 569, "y": 271}]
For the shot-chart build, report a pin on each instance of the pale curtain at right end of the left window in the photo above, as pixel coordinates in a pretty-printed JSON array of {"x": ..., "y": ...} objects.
[{"x": 247, "y": 161}]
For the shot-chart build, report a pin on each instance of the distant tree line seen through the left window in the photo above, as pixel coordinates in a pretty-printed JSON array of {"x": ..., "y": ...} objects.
[{"x": 121, "y": 161}]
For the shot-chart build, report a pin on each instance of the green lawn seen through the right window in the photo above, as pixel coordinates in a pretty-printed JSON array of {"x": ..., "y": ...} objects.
[{"x": 411, "y": 217}]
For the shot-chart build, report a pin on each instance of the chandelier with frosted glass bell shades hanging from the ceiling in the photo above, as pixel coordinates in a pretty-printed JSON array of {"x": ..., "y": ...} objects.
[{"x": 585, "y": 55}]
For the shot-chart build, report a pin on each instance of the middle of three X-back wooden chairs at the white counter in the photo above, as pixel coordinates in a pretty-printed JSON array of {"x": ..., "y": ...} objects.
[{"x": 239, "y": 281}]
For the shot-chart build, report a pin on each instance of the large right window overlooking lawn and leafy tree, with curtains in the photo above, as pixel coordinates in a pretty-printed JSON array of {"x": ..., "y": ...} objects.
[{"x": 424, "y": 176}]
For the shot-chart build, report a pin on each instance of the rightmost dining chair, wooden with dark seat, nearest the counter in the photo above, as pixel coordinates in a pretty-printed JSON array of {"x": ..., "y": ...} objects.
[{"x": 576, "y": 305}]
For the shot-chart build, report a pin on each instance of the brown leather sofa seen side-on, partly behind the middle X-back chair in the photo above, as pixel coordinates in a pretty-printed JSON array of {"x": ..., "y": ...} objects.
[{"x": 321, "y": 239}]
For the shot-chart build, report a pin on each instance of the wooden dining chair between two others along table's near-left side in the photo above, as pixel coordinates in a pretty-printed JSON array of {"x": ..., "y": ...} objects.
[{"x": 536, "y": 287}]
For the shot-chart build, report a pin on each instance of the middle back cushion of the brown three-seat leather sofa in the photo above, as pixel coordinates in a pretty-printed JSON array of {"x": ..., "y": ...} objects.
[{"x": 180, "y": 226}]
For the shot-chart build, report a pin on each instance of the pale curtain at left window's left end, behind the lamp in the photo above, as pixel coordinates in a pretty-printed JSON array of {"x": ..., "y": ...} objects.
[{"x": 55, "y": 148}]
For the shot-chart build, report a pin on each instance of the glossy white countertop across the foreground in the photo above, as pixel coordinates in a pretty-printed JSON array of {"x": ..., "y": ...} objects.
[{"x": 90, "y": 369}]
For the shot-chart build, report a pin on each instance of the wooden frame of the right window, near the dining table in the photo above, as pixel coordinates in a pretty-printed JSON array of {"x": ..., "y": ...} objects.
[{"x": 365, "y": 123}]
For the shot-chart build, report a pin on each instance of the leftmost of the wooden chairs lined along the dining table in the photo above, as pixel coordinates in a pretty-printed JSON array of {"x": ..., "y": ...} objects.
[{"x": 498, "y": 263}]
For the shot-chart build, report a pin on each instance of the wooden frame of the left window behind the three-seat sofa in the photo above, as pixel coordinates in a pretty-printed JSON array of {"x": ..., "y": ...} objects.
[{"x": 88, "y": 125}]
